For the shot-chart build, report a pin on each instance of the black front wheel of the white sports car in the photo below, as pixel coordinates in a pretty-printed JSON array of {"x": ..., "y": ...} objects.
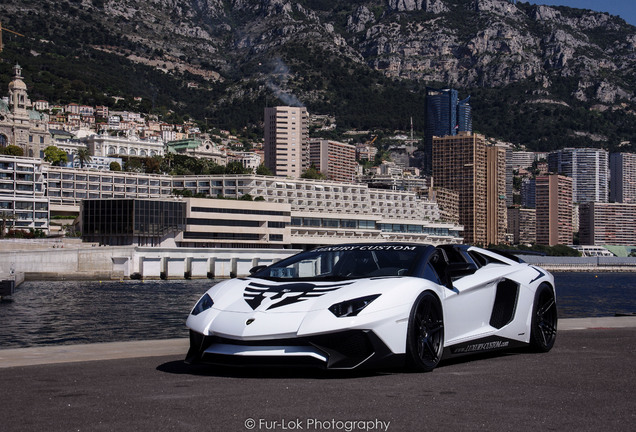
[{"x": 425, "y": 334}]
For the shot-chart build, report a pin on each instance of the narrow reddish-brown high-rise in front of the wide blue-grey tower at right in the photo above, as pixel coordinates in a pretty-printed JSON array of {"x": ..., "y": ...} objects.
[{"x": 554, "y": 209}]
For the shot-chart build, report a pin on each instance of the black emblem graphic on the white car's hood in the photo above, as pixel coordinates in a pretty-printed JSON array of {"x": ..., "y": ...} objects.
[{"x": 256, "y": 294}]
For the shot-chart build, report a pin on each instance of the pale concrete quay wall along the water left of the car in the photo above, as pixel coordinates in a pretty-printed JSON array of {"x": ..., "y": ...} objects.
[{"x": 130, "y": 262}]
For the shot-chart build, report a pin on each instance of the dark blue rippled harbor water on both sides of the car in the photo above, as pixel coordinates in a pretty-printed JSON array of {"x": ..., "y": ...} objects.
[{"x": 74, "y": 312}]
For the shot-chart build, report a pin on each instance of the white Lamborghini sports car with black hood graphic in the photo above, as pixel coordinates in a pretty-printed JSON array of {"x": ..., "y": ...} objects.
[{"x": 375, "y": 305}]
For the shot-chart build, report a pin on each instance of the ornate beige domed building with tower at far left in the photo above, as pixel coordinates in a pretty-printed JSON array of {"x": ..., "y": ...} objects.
[{"x": 19, "y": 125}]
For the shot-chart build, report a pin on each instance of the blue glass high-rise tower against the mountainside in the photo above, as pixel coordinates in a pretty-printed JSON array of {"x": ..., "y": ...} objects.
[{"x": 445, "y": 115}]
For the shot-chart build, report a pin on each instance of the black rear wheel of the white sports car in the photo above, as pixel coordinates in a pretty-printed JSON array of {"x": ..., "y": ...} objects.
[{"x": 544, "y": 319}]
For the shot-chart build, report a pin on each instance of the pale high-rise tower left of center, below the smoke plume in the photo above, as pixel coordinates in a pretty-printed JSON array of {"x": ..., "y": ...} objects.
[{"x": 286, "y": 140}]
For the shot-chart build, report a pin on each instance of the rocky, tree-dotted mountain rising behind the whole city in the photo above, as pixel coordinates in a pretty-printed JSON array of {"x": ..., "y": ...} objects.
[{"x": 541, "y": 76}]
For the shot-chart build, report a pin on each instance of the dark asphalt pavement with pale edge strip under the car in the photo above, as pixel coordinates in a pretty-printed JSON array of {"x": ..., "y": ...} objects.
[{"x": 585, "y": 383}]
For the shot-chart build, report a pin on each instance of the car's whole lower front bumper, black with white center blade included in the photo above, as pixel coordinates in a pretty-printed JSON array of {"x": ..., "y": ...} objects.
[{"x": 348, "y": 349}]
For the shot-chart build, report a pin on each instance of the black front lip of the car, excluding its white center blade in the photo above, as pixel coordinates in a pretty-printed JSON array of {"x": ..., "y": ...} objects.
[{"x": 349, "y": 349}]
